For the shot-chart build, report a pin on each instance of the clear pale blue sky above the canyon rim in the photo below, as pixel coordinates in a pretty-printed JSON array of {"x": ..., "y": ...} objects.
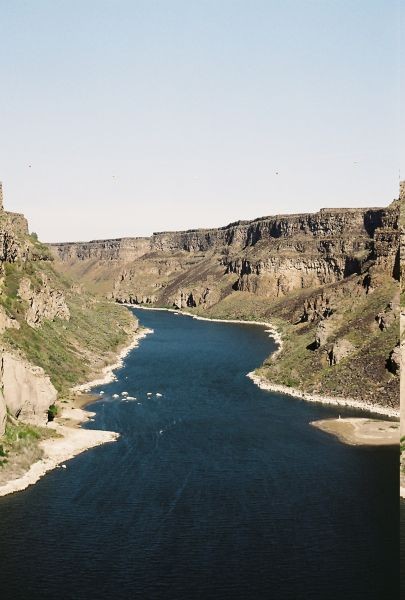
[{"x": 124, "y": 117}]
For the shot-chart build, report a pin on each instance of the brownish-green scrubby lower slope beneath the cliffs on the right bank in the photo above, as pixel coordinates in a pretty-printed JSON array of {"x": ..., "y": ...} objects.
[{"x": 362, "y": 375}]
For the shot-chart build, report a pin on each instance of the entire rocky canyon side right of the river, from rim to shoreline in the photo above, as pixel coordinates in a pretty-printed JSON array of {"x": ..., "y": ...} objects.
[{"x": 329, "y": 281}]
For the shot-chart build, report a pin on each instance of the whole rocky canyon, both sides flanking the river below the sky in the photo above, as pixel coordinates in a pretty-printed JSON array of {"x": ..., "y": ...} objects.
[{"x": 328, "y": 281}]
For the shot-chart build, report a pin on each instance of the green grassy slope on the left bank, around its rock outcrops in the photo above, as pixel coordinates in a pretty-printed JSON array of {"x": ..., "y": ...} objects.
[{"x": 72, "y": 351}]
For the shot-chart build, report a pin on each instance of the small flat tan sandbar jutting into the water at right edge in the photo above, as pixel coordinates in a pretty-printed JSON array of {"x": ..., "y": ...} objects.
[{"x": 361, "y": 432}]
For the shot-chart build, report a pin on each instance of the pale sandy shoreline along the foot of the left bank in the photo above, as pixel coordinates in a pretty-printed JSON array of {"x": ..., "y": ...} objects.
[{"x": 73, "y": 439}]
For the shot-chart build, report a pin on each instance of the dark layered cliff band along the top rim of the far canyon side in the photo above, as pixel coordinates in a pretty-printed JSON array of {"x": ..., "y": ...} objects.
[{"x": 328, "y": 223}]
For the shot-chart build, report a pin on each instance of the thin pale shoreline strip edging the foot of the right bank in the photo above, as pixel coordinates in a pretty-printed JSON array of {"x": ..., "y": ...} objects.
[{"x": 265, "y": 384}]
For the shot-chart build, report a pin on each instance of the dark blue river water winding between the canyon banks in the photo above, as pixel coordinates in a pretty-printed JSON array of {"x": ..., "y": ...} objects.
[{"x": 215, "y": 490}]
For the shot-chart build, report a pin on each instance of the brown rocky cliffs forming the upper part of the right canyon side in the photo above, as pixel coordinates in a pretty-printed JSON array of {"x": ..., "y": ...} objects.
[{"x": 270, "y": 257}]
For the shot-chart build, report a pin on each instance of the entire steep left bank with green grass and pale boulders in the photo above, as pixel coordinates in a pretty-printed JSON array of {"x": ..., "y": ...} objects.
[{"x": 53, "y": 335}]
